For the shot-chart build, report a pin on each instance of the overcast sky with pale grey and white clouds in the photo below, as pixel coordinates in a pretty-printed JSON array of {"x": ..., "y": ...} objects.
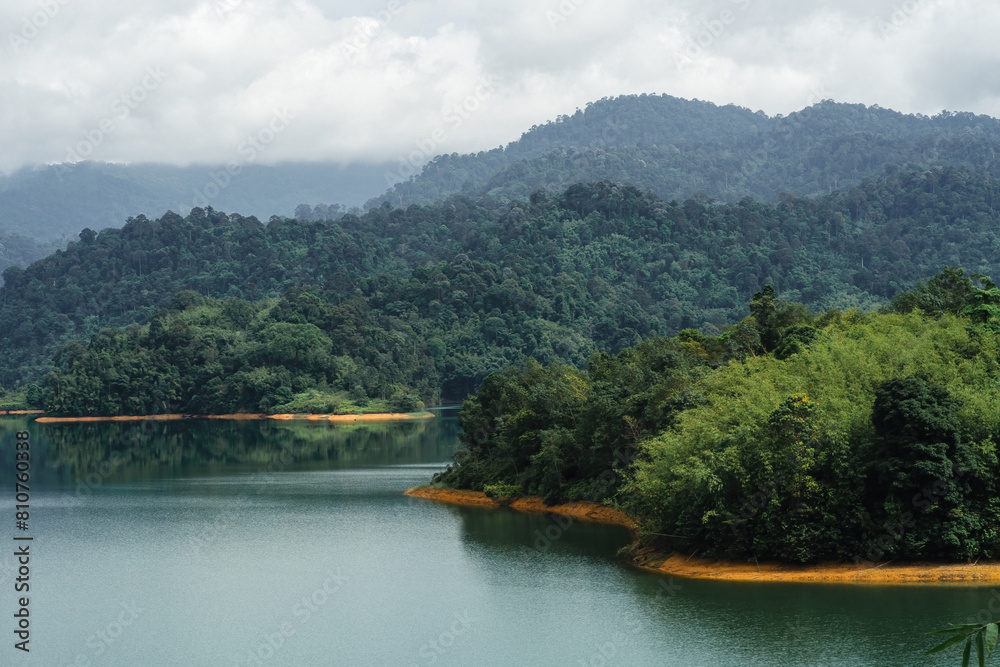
[{"x": 183, "y": 81}]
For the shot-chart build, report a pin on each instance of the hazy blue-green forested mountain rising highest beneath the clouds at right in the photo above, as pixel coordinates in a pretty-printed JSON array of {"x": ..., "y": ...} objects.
[{"x": 678, "y": 148}]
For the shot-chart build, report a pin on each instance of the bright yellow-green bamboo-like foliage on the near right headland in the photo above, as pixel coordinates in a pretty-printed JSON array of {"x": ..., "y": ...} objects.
[{"x": 700, "y": 478}]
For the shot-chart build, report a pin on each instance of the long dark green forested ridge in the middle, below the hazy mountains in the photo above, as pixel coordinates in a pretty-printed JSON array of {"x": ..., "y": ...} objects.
[{"x": 599, "y": 266}]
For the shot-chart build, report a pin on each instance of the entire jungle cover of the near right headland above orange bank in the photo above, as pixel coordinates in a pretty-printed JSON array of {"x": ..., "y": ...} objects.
[{"x": 793, "y": 435}]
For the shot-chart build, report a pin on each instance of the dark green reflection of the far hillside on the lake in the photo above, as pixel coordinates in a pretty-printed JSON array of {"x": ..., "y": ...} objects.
[{"x": 121, "y": 451}]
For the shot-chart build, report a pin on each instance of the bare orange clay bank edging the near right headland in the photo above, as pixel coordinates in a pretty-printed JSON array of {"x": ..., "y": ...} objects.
[{"x": 651, "y": 560}]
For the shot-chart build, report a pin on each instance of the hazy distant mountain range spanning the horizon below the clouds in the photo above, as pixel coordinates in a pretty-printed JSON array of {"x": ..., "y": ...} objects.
[{"x": 673, "y": 147}]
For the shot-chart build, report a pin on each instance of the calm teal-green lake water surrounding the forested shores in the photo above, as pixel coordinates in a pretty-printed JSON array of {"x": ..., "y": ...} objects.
[{"x": 225, "y": 543}]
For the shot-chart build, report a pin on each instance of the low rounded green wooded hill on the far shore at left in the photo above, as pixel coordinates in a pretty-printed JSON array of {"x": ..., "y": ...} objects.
[{"x": 217, "y": 357}]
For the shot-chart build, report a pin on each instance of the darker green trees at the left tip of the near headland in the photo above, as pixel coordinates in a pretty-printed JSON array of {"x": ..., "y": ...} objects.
[{"x": 562, "y": 434}]
